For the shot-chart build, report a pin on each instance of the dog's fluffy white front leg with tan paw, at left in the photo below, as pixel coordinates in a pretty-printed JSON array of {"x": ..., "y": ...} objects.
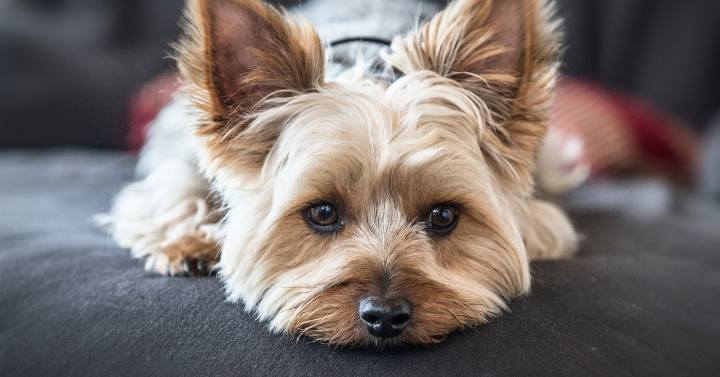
[{"x": 166, "y": 219}]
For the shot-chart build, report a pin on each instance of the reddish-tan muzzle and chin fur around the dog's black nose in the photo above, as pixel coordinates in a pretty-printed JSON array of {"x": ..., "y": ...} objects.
[{"x": 331, "y": 317}]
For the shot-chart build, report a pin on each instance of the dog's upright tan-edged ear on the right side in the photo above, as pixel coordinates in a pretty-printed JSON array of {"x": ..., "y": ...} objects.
[{"x": 506, "y": 52}]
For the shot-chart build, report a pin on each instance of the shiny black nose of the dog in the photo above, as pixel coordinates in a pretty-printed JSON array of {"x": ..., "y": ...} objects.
[{"x": 385, "y": 318}]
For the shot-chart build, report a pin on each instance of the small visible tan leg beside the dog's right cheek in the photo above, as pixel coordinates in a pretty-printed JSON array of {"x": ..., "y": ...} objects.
[{"x": 547, "y": 232}]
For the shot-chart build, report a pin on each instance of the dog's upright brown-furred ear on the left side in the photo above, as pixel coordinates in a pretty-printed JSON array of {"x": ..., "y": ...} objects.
[{"x": 236, "y": 54}]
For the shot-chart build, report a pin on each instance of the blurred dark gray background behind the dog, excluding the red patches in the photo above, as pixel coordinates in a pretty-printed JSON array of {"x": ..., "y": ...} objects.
[{"x": 69, "y": 67}]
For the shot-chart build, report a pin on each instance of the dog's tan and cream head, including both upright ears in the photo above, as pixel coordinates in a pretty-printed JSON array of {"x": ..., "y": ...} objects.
[{"x": 368, "y": 213}]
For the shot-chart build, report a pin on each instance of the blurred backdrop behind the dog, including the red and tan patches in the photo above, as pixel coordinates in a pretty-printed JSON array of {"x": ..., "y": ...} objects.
[{"x": 640, "y": 88}]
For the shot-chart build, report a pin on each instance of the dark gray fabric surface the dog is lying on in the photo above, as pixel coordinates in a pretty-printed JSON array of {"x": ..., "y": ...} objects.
[{"x": 640, "y": 299}]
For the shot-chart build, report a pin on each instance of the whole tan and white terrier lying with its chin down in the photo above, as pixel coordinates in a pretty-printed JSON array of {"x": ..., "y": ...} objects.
[{"x": 384, "y": 202}]
